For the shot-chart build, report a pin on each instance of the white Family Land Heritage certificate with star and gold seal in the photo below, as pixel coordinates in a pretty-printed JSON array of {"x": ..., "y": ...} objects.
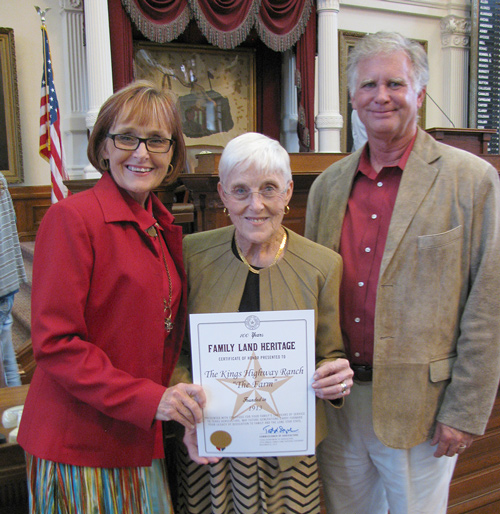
[{"x": 256, "y": 369}]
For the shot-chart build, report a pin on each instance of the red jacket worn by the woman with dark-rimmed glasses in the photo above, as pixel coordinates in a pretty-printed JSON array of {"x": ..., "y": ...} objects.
[{"x": 98, "y": 332}]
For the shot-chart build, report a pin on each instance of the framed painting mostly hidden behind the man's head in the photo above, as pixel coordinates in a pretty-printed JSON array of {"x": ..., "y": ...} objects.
[{"x": 347, "y": 41}]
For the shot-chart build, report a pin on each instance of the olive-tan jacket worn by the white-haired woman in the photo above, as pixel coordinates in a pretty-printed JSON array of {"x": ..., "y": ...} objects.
[{"x": 307, "y": 277}]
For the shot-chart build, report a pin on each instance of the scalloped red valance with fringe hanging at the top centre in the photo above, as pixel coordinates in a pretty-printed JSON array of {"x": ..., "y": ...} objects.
[{"x": 225, "y": 23}]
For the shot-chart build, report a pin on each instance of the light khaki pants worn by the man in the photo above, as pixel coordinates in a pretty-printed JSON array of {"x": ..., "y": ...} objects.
[{"x": 362, "y": 476}]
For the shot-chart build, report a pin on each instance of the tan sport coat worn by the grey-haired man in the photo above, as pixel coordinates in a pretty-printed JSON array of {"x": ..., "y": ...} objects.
[{"x": 437, "y": 319}]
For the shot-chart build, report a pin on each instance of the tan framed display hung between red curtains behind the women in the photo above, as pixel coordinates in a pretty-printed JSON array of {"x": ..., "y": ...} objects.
[{"x": 215, "y": 89}]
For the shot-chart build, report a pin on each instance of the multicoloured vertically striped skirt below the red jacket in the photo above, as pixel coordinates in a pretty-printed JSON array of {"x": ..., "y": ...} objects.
[{"x": 65, "y": 489}]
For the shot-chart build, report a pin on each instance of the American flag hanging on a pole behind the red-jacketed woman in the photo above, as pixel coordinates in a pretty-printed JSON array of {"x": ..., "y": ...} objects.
[{"x": 50, "y": 131}]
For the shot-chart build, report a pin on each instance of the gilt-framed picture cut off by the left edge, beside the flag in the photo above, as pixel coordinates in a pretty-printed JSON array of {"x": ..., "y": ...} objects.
[{"x": 11, "y": 164}]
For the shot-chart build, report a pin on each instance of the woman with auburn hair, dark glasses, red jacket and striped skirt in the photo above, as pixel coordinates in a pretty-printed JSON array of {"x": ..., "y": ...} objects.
[{"x": 108, "y": 318}]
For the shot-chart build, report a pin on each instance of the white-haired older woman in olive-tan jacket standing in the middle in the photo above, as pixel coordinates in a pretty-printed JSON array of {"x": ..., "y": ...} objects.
[{"x": 256, "y": 264}]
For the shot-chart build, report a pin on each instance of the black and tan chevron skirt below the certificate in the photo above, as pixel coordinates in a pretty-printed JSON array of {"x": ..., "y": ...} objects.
[{"x": 247, "y": 486}]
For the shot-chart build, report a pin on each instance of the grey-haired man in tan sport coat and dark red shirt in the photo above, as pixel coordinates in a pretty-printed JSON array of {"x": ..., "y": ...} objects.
[{"x": 418, "y": 226}]
